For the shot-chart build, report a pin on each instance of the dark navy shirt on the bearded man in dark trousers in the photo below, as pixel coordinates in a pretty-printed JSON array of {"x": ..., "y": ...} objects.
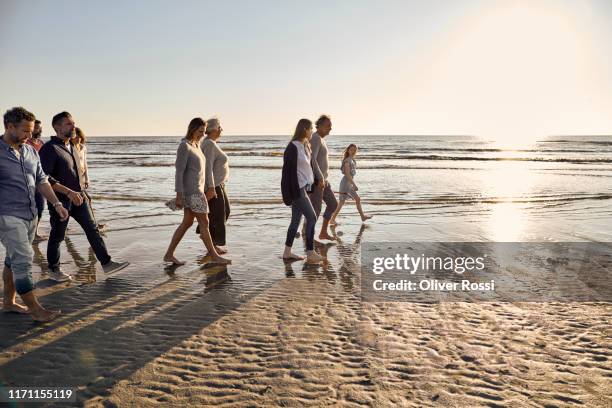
[{"x": 59, "y": 164}]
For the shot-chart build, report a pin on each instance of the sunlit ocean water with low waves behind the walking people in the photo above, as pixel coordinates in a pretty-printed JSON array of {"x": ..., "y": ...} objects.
[{"x": 428, "y": 188}]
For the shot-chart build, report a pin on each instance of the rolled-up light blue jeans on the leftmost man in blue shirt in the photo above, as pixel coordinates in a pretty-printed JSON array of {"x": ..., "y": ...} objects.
[{"x": 17, "y": 235}]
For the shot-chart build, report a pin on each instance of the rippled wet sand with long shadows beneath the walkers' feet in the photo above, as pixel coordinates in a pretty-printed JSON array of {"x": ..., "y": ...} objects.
[{"x": 262, "y": 333}]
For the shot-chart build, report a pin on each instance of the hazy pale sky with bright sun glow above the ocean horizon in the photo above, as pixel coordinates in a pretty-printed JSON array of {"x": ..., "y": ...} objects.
[{"x": 494, "y": 68}]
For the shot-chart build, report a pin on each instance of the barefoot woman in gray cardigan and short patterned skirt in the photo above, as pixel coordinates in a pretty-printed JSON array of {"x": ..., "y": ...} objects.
[{"x": 189, "y": 186}]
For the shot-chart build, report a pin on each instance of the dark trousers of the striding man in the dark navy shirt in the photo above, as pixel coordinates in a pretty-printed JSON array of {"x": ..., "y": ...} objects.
[{"x": 83, "y": 215}]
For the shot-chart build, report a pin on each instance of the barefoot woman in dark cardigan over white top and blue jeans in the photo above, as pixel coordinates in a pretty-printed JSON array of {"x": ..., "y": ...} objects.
[{"x": 297, "y": 179}]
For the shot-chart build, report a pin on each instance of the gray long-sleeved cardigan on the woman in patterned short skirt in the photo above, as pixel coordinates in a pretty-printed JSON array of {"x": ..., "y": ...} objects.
[{"x": 190, "y": 169}]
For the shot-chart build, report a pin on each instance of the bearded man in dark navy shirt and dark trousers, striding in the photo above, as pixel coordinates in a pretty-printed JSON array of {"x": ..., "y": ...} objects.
[{"x": 59, "y": 163}]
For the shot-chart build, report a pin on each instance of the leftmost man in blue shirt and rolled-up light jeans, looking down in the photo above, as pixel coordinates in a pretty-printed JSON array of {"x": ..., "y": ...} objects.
[{"x": 21, "y": 175}]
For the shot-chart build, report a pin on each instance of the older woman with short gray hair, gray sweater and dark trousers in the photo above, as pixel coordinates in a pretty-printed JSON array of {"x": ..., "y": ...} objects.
[{"x": 217, "y": 173}]
